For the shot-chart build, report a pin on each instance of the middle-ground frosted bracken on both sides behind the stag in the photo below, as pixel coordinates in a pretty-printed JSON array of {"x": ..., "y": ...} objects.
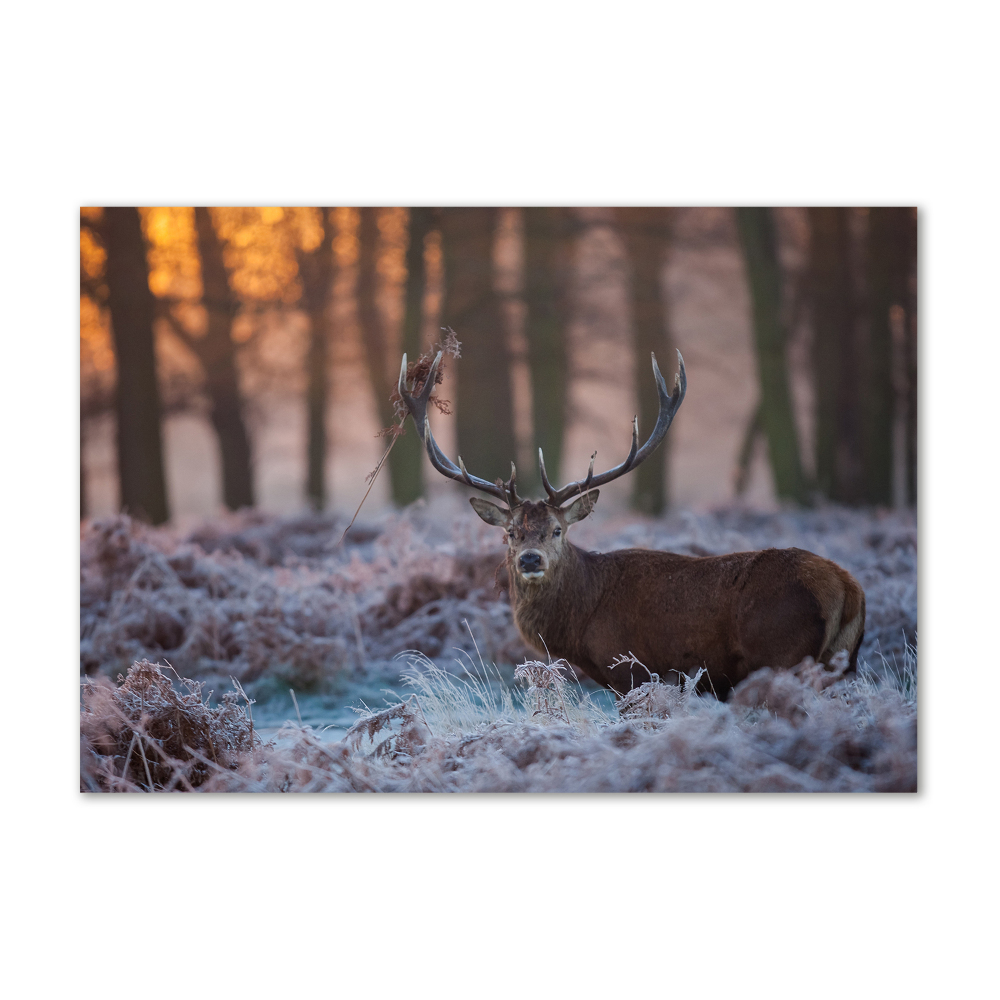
[{"x": 253, "y": 596}]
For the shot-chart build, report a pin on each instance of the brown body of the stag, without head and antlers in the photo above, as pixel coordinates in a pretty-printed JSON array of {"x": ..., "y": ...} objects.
[{"x": 729, "y": 615}]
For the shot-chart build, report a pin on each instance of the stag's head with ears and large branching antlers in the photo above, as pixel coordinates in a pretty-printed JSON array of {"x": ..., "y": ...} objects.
[{"x": 535, "y": 530}]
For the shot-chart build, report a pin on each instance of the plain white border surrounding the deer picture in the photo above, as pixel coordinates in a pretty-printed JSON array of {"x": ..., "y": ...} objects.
[{"x": 447, "y": 103}]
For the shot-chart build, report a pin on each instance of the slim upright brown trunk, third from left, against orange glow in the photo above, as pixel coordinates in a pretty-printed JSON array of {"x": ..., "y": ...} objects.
[{"x": 316, "y": 270}]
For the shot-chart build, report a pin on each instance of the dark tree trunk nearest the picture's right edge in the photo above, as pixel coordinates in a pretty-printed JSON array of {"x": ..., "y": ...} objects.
[{"x": 891, "y": 261}]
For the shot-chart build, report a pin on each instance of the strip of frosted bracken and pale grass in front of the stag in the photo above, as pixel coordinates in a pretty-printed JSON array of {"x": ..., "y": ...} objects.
[{"x": 801, "y": 730}]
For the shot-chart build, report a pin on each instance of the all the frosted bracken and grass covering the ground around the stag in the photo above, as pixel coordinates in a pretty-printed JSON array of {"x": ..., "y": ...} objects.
[{"x": 257, "y": 603}]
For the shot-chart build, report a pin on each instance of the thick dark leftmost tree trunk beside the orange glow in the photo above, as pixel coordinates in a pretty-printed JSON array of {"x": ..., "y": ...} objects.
[{"x": 140, "y": 447}]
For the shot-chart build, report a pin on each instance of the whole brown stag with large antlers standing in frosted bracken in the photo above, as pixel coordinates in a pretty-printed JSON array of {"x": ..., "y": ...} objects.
[{"x": 621, "y": 617}]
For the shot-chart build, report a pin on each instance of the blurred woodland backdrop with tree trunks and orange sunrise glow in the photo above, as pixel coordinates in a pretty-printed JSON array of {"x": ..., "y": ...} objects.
[{"x": 241, "y": 357}]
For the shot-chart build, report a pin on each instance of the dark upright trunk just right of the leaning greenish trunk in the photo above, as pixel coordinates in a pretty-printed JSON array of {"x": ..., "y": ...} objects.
[{"x": 835, "y": 357}]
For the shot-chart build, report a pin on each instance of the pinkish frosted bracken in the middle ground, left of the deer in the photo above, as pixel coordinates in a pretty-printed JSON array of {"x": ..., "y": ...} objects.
[{"x": 274, "y": 598}]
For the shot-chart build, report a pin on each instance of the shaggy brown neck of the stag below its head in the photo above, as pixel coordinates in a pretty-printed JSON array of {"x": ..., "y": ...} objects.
[{"x": 557, "y": 609}]
